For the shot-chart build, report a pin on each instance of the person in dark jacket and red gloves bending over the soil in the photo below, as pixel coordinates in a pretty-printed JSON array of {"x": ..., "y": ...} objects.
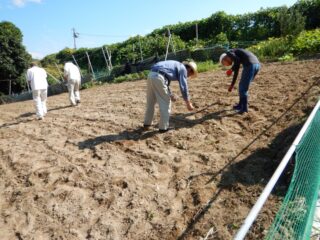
[{"x": 251, "y": 66}]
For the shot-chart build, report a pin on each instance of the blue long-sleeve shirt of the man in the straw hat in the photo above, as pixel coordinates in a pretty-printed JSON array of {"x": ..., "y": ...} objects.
[{"x": 174, "y": 71}]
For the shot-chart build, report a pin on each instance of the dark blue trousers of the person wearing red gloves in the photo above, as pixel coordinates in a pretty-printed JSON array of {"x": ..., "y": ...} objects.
[{"x": 248, "y": 75}]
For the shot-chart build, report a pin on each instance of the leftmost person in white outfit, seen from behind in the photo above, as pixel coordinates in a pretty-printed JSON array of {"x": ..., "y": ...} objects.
[{"x": 37, "y": 78}]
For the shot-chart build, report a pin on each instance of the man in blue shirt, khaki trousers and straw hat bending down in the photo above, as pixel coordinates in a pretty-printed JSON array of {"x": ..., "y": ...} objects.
[{"x": 158, "y": 89}]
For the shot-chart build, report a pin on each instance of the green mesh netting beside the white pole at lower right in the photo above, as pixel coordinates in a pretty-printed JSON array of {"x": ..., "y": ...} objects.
[{"x": 295, "y": 216}]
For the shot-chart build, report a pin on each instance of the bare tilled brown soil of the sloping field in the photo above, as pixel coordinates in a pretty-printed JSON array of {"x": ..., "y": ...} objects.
[{"x": 90, "y": 172}]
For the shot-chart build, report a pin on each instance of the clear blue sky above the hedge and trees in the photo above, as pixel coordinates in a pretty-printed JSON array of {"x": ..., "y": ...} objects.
[{"x": 47, "y": 24}]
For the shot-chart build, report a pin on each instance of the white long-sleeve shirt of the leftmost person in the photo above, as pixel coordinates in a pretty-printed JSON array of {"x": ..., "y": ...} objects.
[{"x": 38, "y": 78}]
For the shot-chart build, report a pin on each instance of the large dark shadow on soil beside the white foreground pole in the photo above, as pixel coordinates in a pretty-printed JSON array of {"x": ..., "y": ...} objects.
[{"x": 257, "y": 168}]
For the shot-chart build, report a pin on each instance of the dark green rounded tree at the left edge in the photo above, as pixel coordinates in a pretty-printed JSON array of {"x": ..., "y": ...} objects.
[{"x": 14, "y": 59}]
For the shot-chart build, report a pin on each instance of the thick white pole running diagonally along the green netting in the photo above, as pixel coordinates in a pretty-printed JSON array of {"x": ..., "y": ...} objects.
[{"x": 267, "y": 190}]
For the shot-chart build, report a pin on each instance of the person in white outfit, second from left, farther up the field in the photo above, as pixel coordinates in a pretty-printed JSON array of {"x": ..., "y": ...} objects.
[{"x": 73, "y": 76}]
